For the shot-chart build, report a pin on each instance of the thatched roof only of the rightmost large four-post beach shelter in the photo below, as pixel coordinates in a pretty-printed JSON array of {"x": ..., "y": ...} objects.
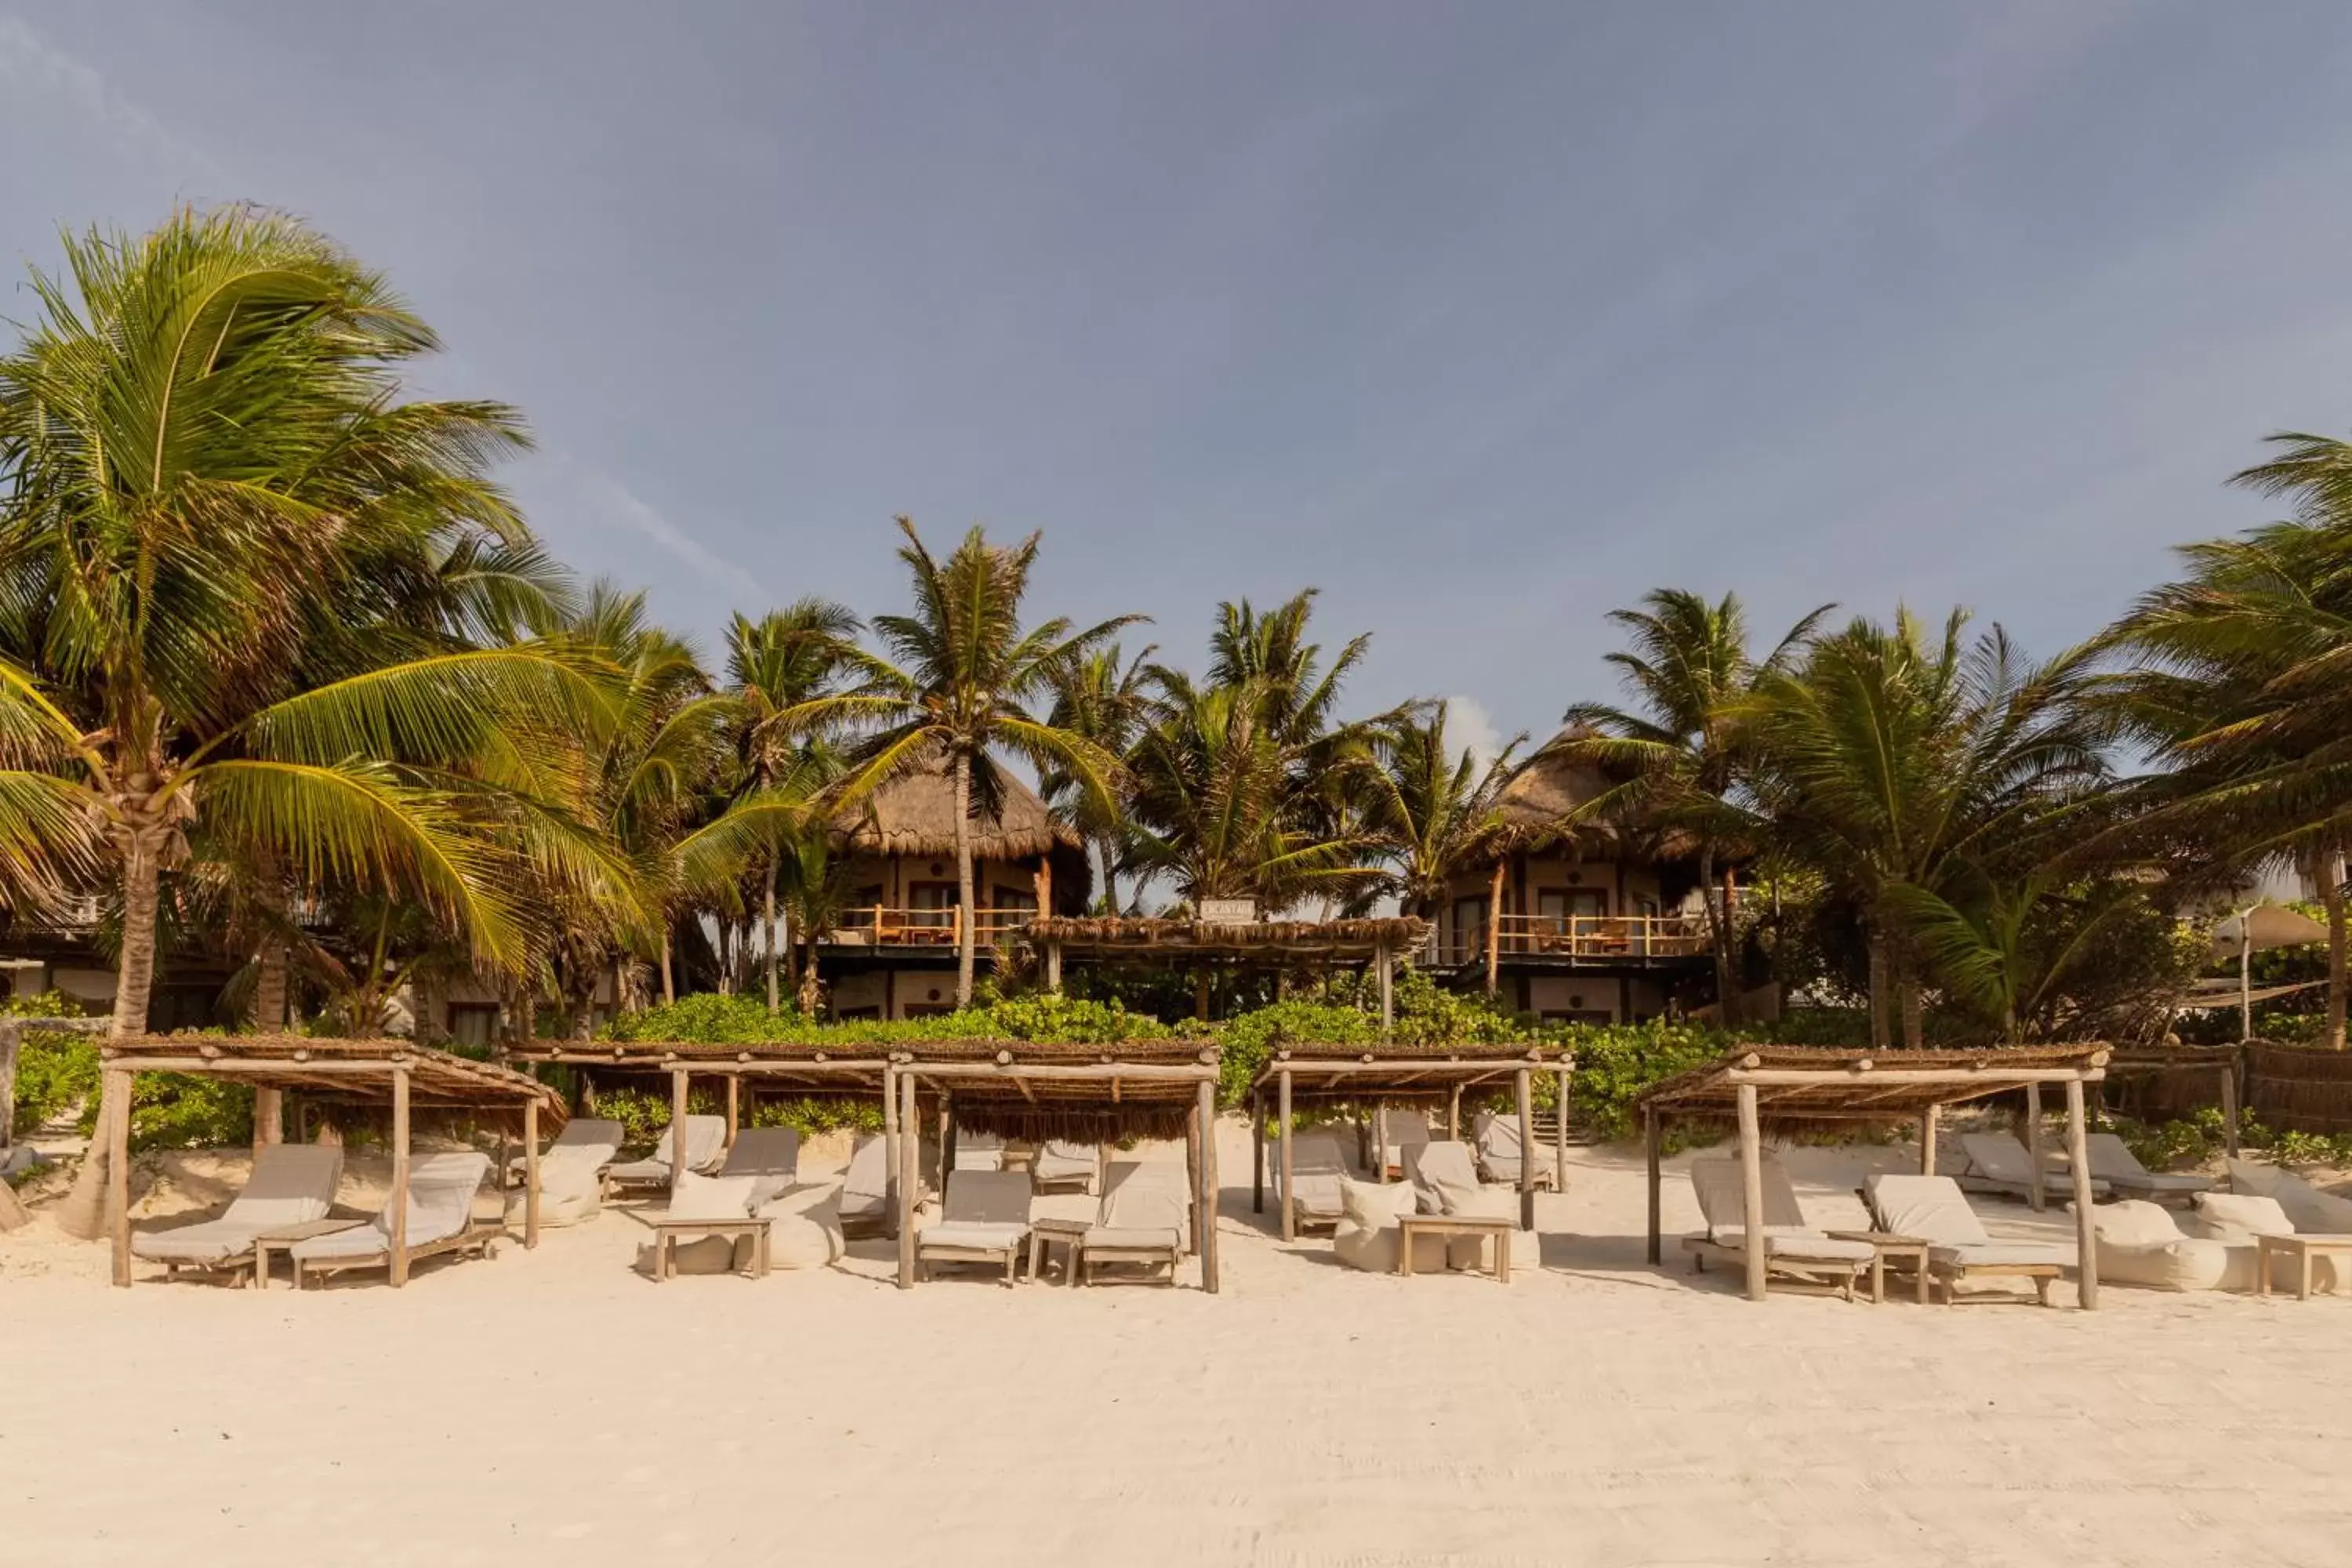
[{"x": 1798, "y": 1085}]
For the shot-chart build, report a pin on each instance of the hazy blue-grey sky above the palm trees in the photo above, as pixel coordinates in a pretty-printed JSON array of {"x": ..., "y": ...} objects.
[{"x": 1481, "y": 319}]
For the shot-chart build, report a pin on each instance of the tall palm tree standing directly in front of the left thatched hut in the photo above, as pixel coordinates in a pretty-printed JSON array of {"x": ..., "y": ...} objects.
[{"x": 961, "y": 690}]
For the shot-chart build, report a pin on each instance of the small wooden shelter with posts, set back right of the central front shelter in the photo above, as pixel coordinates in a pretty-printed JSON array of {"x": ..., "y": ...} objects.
[{"x": 1401, "y": 1076}]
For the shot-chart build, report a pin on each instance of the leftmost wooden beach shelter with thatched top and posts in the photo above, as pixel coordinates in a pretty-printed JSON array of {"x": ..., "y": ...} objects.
[{"x": 394, "y": 1073}]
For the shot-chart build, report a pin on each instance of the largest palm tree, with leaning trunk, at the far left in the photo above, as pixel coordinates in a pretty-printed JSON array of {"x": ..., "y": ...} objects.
[{"x": 203, "y": 448}]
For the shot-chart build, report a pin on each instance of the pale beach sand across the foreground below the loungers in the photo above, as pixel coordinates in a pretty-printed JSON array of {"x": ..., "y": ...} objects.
[{"x": 559, "y": 1407}]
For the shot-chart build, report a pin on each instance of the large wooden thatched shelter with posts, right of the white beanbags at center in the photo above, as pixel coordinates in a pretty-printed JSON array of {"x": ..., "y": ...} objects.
[{"x": 1826, "y": 1087}]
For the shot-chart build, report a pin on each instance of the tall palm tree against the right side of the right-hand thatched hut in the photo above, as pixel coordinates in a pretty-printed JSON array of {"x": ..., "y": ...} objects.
[{"x": 1681, "y": 749}]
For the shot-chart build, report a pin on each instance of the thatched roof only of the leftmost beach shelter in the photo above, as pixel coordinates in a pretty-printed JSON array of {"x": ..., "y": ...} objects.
[{"x": 345, "y": 1071}]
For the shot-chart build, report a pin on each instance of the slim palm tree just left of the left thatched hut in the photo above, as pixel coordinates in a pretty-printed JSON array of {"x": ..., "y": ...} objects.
[{"x": 777, "y": 666}]
